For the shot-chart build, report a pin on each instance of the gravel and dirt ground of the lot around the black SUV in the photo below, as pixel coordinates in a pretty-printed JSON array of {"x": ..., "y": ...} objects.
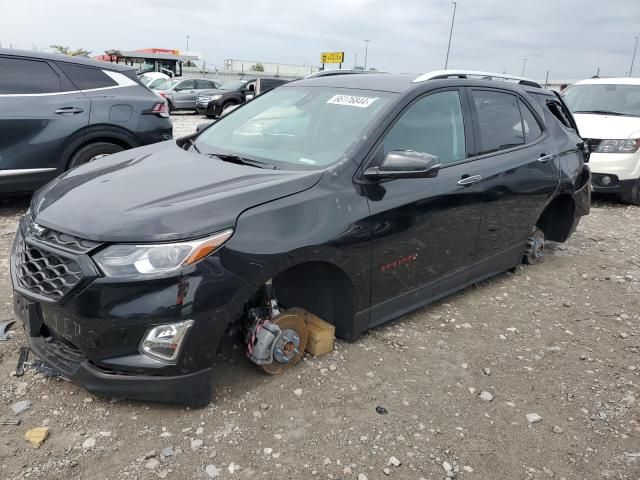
[{"x": 560, "y": 339}]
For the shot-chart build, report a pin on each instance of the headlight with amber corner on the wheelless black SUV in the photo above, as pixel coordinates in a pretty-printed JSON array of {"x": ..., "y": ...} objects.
[{"x": 127, "y": 260}]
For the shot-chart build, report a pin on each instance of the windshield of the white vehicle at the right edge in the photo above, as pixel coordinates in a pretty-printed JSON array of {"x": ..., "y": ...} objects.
[{"x": 604, "y": 98}]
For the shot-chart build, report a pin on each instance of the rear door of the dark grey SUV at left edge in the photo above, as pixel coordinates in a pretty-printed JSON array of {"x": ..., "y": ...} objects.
[{"x": 39, "y": 110}]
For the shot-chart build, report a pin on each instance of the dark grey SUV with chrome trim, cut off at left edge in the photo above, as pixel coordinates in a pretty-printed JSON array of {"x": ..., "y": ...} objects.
[{"x": 58, "y": 112}]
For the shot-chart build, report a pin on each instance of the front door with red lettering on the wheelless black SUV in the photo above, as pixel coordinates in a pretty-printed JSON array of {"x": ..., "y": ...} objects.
[{"x": 424, "y": 230}]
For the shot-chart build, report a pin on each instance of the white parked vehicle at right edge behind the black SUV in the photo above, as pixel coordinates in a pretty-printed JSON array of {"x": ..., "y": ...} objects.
[{"x": 607, "y": 111}]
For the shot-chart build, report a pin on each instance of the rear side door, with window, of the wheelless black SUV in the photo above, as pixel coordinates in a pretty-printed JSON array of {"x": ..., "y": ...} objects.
[{"x": 520, "y": 166}]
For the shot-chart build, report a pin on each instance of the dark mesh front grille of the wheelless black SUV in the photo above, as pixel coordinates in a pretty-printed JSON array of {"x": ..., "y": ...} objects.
[{"x": 45, "y": 273}]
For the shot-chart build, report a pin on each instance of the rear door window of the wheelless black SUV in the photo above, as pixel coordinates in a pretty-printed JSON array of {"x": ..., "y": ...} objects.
[{"x": 499, "y": 121}]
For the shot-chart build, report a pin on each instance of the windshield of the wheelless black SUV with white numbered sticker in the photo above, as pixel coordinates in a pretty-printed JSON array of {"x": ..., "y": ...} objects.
[{"x": 304, "y": 128}]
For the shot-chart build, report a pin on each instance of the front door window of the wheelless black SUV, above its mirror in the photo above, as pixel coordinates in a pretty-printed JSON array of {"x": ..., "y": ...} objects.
[{"x": 434, "y": 125}]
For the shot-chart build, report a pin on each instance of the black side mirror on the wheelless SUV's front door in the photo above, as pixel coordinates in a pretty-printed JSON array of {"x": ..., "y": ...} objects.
[{"x": 405, "y": 164}]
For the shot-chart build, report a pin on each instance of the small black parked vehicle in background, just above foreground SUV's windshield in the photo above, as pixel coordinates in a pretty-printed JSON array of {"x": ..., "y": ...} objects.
[{"x": 232, "y": 94}]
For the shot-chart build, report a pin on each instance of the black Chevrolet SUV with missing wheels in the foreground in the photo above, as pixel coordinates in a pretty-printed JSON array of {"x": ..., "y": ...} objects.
[{"x": 353, "y": 198}]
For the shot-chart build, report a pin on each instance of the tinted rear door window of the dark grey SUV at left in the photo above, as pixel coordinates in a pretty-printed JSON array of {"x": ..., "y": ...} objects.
[{"x": 21, "y": 76}]
